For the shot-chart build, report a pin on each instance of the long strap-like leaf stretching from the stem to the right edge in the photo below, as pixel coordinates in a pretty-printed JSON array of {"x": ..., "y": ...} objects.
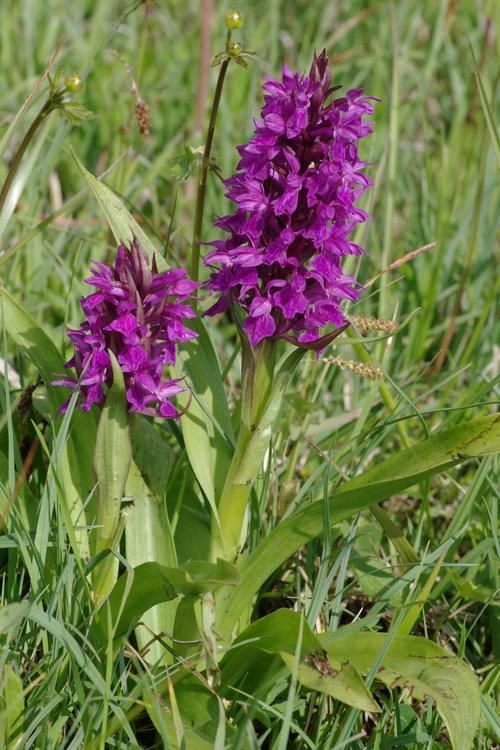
[{"x": 408, "y": 467}]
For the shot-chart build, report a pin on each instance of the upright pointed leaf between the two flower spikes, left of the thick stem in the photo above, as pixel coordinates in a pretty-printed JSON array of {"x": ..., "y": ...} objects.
[{"x": 206, "y": 425}]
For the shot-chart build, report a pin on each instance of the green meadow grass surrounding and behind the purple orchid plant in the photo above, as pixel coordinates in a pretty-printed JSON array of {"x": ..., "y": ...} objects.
[{"x": 436, "y": 180}]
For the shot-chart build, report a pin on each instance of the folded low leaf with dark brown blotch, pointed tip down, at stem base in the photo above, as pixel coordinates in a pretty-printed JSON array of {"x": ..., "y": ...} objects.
[{"x": 278, "y": 633}]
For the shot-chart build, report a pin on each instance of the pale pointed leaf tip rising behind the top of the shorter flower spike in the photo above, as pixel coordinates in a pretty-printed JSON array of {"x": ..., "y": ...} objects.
[{"x": 122, "y": 223}]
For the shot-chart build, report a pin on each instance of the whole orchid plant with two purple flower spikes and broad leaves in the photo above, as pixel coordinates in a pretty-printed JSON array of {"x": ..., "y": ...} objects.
[{"x": 180, "y": 569}]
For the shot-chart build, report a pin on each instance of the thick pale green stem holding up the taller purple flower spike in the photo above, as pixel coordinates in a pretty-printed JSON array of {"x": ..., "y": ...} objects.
[{"x": 257, "y": 416}]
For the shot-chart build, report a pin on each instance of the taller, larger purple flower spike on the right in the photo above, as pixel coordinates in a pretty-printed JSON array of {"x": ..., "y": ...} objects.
[{"x": 295, "y": 190}]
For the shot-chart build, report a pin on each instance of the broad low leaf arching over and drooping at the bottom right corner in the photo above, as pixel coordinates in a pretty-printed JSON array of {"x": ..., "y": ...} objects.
[{"x": 423, "y": 665}]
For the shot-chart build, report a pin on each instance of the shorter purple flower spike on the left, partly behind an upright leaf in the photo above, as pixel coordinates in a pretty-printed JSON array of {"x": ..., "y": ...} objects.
[{"x": 137, "y": 313}]
